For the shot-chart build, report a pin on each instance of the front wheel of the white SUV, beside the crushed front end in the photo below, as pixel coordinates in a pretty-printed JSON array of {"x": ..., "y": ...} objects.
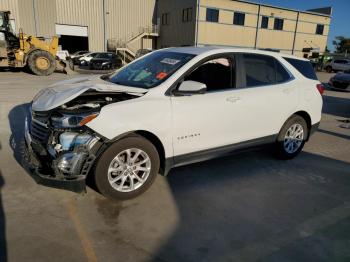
[{"x": 127, "y": 168}]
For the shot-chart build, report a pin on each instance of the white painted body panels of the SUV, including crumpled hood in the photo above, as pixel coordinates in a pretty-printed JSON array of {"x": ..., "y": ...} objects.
[{"x": 208, "y": 120}]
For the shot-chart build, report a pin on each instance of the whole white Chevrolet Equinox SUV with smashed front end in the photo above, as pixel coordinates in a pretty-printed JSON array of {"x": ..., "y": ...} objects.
[{"x": 169, "y": 108}]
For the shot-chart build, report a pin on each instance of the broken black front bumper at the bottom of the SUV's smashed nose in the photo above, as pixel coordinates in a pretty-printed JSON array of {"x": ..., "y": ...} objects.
[{"x": 76, "y": 184}]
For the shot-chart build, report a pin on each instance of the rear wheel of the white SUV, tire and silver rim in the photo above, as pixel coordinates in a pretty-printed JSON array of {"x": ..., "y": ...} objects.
[{"x": 292, "y": 137}]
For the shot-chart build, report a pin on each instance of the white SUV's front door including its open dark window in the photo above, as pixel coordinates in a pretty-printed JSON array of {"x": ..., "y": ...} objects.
[{"x": 206, "y": 121}]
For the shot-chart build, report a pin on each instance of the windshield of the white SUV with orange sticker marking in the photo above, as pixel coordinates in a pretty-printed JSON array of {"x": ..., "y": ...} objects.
[{"x": 151, "y": 70}]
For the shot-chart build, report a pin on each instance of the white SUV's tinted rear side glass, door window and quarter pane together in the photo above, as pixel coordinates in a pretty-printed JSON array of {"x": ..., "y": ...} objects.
[{"x": 263, "y": 70}]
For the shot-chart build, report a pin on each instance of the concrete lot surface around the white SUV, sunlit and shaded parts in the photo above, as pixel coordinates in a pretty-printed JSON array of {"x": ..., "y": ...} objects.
[{"x": 248, "y": 207}]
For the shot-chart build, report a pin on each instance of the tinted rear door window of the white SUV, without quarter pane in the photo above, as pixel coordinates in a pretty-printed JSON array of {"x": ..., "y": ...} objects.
[{"x": 259, "y": 70}]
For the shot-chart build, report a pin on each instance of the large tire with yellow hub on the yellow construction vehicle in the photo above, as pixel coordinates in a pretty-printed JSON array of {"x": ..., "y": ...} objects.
[{"x": 41, "y": 63}]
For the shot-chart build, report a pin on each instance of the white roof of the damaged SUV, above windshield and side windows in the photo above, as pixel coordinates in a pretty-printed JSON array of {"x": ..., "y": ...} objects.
[{"x": 220, "y": 49}]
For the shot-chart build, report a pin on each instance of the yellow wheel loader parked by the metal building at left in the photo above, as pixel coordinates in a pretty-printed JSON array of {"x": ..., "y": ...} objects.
[{"x": 26, "y": 50}]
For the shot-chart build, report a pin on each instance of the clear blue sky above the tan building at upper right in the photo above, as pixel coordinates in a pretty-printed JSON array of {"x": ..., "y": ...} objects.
[{"x": 340, "y": 23}]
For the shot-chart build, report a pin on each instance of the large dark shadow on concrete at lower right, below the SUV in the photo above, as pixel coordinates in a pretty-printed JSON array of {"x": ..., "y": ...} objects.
[{"x": 251, "y": 207}]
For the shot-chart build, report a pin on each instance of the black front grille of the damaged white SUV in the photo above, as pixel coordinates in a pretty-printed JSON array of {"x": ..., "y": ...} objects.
[{"x": 38, "y": 128}]
